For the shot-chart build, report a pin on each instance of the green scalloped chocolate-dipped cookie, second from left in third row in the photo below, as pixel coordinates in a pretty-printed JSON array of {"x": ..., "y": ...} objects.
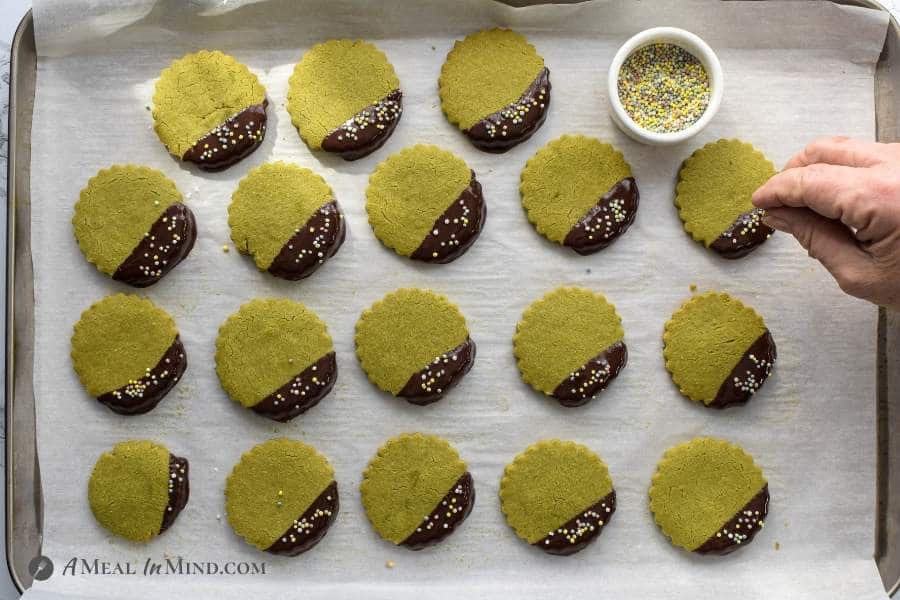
[{"x": 275, "y": 357}]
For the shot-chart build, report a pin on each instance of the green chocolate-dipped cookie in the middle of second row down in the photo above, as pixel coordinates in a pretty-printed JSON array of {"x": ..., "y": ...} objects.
[{"x": 425, "y": 203}]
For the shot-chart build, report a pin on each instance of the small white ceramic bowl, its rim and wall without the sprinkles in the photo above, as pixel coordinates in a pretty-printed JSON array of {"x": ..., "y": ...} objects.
[{"x": 692, "y": 44}]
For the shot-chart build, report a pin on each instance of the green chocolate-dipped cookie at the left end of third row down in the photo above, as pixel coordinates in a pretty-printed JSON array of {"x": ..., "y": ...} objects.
[{"x": 127, "y": 353}]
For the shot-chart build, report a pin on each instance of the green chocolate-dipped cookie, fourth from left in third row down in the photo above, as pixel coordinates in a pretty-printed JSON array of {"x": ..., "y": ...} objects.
[{"x": 569, "y": 345}]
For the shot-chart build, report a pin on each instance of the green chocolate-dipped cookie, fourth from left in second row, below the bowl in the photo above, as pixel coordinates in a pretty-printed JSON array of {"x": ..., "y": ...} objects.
[{"x": 579, "y": 192}]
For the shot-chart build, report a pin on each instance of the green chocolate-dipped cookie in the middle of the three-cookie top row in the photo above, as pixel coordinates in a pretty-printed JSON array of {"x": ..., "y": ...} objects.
[{"x": 344, "y": 98}]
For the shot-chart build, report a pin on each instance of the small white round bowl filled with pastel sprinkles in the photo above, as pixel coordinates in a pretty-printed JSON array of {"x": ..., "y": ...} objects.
[{"x": 665, "y": 85}]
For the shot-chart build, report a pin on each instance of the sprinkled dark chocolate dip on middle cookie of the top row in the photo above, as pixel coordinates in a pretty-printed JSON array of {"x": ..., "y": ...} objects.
[{"x": 366, "y": 131}]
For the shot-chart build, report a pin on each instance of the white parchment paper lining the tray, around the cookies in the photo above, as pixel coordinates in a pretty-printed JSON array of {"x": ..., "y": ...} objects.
[{"x": 805, "y": 69}]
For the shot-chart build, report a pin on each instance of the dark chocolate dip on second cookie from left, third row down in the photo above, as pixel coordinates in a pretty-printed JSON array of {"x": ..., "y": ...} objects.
[{"x": 300, "y": 393}]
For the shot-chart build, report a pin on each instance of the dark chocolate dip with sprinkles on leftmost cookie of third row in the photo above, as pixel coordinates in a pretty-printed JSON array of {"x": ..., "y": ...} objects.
[{"x": 142, "y": 395}]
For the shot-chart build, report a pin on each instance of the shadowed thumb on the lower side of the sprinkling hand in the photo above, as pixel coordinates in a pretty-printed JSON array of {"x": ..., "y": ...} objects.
[{"x": 830, "y": 242}]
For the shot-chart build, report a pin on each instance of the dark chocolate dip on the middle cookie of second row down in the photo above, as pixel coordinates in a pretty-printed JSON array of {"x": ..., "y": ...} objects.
[{"x": 456, "y": 229}]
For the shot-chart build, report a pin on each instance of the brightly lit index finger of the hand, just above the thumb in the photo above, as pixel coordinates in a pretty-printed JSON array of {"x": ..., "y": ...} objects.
[{"x": 835, "y": 192}]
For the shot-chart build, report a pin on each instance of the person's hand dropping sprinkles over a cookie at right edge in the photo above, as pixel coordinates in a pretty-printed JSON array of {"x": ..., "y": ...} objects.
[{"x": 840, "y": 198}]
